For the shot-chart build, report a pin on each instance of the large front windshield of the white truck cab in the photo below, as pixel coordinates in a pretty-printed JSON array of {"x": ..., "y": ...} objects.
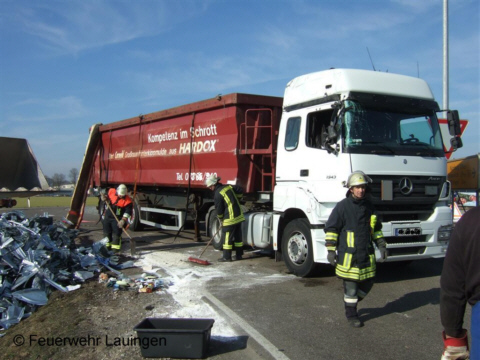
[{"x": 379, "y": 131}]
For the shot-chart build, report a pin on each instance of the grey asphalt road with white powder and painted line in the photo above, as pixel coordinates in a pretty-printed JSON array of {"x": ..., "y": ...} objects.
[{"x": 275, "y": 315}]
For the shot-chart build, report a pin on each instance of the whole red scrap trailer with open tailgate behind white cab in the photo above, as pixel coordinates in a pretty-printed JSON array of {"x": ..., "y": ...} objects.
[{"x": 164, "y": 157}]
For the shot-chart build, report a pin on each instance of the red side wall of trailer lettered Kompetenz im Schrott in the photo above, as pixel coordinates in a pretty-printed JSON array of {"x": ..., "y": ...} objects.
[{"x": 156, "y": 150}]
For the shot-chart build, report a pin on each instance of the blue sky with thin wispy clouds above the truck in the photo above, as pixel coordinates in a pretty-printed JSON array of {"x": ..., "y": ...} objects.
[{"x": 65, "y": 65}]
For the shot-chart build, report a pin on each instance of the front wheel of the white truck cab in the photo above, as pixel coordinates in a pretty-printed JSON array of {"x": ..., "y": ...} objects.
[{"x": 297, "y": 248}]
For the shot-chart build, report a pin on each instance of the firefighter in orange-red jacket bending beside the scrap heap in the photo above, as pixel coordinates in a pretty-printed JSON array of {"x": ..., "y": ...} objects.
[{"x": 122, "y": 205}]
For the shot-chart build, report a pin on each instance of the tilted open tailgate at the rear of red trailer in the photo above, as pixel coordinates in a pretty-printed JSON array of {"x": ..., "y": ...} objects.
[{"x": 77, "y": 205}]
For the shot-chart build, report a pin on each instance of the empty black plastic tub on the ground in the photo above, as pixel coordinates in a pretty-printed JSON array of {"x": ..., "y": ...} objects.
[{"x": 177, "y": 338}]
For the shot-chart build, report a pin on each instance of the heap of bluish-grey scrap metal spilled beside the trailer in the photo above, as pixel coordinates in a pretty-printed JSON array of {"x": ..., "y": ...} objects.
[{"x": 38, "y": 256}]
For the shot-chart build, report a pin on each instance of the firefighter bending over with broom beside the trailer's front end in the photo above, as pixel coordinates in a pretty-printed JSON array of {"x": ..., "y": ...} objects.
[{"x": 229, "y": 211}]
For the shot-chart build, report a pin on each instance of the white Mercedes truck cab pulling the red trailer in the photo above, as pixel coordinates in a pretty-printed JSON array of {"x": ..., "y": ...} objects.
[{"x": 341, "y": 120}]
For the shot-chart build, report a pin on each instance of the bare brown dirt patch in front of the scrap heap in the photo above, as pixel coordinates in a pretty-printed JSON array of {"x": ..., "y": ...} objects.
[{"x": 95, "y": 316}]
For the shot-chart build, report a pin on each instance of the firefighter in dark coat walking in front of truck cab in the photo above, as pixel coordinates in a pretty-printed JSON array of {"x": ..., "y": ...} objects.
[{"x": 351, "y": 230}]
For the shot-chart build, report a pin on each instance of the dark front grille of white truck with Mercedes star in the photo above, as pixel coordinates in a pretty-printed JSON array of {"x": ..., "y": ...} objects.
[{"x": 417, "y": 204}]
